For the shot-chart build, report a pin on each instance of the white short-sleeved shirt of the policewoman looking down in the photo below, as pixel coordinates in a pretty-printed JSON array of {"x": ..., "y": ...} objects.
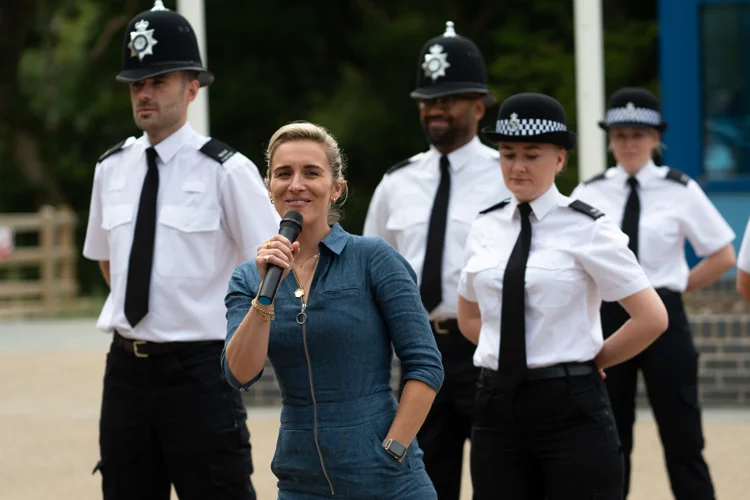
[{"x": 576, "y": 260}]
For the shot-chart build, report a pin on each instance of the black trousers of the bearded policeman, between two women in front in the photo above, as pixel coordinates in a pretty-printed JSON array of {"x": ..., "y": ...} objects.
[{"x": 443, "y": 435}]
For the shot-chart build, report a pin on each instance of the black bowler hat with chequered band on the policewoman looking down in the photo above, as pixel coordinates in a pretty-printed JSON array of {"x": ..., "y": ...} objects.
[{"x": 535, "y": 118}]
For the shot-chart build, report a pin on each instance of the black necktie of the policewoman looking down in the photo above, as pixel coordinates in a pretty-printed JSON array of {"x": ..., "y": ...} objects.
[{"x": 512, "y": 364}]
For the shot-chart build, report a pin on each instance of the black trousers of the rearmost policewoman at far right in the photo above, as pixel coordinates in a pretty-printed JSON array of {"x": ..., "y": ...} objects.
[{"x": 670, "y": 372}]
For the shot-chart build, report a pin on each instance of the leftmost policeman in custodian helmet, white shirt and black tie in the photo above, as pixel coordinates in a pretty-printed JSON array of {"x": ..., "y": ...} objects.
[{"x": 172, "y": 214}]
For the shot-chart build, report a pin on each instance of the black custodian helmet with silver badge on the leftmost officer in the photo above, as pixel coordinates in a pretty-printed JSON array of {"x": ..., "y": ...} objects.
[{"x": 160, "y": 41}]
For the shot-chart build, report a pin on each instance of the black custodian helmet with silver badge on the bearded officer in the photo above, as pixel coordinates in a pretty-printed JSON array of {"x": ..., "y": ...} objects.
[{"x": 450, "y": 64}]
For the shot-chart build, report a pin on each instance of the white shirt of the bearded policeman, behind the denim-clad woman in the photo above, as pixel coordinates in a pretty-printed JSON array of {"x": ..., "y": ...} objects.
[{"x": 401, "y": 206}]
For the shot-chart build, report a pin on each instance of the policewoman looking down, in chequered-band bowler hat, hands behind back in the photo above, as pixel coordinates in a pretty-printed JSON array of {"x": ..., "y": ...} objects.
[{"x": 537, "y": 267}]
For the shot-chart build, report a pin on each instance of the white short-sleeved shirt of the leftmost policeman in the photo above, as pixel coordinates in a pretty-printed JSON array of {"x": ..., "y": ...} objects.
[{"x": 211, "y": 216}]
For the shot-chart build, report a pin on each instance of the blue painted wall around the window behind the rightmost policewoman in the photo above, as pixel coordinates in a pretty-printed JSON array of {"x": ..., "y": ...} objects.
[{"x": 681, "y": 98}]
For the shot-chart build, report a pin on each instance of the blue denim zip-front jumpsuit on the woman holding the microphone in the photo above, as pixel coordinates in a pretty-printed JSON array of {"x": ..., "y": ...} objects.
[{"x": 335, "y": 370}]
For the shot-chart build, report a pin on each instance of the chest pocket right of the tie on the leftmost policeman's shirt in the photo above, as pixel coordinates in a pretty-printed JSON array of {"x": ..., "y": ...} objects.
[{"x": 187, "y": 240}]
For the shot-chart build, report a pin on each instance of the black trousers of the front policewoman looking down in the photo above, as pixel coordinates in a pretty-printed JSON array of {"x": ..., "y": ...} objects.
[{"x": 548, "y": 439}]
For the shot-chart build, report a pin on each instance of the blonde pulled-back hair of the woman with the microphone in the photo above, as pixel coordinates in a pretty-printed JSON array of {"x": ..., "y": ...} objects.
[{"x": 306, "y": 131}]
